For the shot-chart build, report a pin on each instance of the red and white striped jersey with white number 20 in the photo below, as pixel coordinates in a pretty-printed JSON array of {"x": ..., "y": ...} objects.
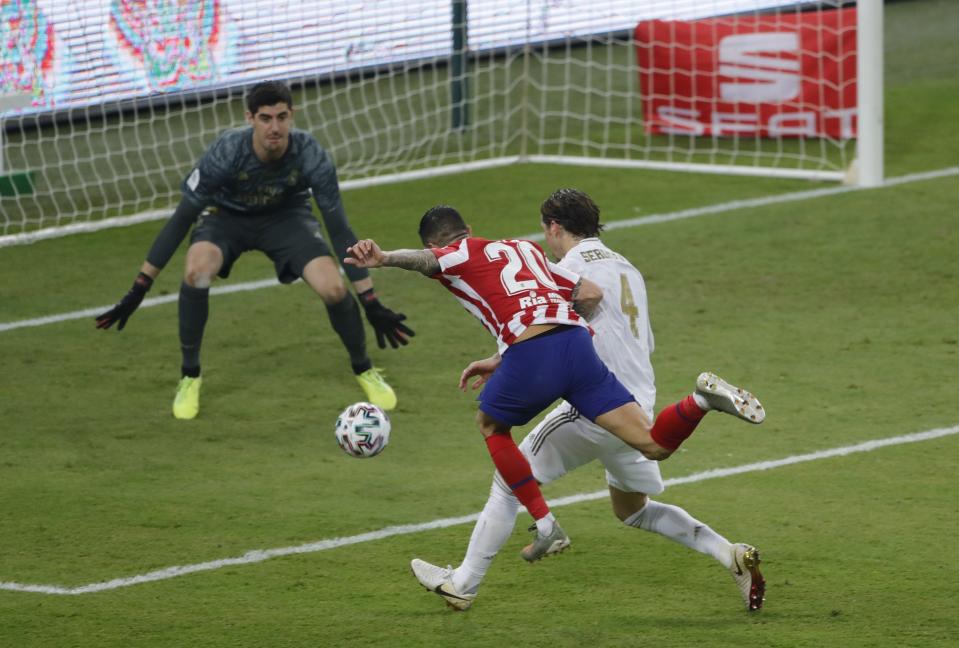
[{"x": 508, "y": 285}]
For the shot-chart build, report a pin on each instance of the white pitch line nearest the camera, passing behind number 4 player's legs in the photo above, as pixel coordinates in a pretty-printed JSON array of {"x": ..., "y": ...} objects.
[{"x": 259, "y": 555}]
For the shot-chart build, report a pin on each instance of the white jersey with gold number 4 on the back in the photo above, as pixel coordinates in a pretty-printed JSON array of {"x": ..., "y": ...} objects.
[{"x": 624, "y": 336}]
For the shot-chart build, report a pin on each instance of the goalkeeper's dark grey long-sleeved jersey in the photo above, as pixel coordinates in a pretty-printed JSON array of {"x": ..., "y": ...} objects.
[{"x": 230, "y": 177}]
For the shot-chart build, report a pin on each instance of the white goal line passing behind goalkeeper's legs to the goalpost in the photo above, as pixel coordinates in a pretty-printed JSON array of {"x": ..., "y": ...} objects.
[{"x": 694, "y": 212}]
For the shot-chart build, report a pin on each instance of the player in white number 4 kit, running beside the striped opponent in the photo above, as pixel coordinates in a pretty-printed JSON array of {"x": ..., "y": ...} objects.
[{"x": 565, "y": 440}]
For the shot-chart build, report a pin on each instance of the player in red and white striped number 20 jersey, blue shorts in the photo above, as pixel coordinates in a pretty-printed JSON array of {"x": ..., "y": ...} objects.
[{"x": 545, "y": 349}]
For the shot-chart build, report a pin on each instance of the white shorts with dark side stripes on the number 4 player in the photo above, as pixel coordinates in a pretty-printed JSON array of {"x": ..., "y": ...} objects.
[{"x": 566, "y": 440}]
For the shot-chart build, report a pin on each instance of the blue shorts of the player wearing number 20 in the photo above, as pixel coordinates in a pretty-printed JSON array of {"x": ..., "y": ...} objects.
[{"x": 560, "y": 363}]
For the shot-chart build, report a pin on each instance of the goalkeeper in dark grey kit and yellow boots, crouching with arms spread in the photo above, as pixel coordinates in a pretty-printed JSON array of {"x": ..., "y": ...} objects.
[{"x": 250, "y": 191}]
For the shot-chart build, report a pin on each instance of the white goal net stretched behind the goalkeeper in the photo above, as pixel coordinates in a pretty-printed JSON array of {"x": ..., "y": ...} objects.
[{"x": 106, "y": 104}]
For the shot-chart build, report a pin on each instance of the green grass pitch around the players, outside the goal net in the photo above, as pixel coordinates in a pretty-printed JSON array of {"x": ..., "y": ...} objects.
[{"x": 840, "y": 312}]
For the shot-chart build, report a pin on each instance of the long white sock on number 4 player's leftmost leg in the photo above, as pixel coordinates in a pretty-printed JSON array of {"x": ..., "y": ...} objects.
[{"x": 492, "y": 530}]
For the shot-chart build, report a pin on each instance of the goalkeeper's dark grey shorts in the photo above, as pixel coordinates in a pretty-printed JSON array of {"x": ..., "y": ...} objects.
[{"x": 291, "y": 237}]
